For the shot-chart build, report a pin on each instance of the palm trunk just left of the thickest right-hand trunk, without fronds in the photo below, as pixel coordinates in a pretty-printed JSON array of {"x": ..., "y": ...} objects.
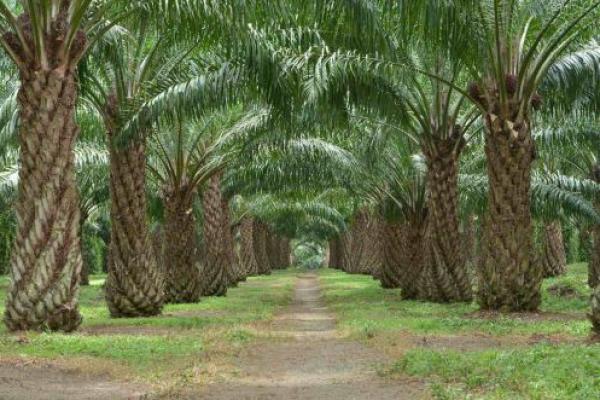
[{"x": 450, "y": 280}]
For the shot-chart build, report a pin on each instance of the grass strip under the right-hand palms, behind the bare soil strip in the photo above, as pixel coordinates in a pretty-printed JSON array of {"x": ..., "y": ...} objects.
[{"x": 364, "y": 309}]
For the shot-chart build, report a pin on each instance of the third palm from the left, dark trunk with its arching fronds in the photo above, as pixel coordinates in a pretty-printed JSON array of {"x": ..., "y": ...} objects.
[{"x": 184, "y": 159}]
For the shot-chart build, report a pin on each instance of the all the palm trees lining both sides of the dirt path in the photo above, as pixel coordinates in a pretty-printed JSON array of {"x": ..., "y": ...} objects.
[{"x": 331, "y": 107}]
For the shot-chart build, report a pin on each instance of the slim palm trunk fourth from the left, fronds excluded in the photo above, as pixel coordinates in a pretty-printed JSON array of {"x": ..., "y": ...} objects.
[{"x": 217, "y": 256}]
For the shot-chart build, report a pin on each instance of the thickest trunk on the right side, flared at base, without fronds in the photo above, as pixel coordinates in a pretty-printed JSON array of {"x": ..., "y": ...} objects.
[{"x": 509, "y": 277}]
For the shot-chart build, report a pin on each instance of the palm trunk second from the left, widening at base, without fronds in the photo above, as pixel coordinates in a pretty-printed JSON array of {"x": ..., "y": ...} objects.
[{"x": 135, "y": 284}]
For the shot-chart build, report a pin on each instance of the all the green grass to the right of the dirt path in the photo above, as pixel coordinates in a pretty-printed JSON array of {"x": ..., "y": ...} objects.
[{"x": 567, "y": 369}]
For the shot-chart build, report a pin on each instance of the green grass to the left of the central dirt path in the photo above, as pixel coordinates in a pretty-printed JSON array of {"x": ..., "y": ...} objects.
[{"x": 153, "y": 347}]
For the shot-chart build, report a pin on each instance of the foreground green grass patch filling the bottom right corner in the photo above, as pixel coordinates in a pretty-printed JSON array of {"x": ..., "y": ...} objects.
[{"x": 539, "y": 372}]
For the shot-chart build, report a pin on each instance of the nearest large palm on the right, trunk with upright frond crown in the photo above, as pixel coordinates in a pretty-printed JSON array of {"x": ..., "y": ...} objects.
[{"x": 509, "y": 49}]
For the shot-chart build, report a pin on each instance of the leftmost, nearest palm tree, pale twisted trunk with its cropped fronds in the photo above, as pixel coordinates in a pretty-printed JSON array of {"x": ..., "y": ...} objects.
[{"x": 46, "y": 43}]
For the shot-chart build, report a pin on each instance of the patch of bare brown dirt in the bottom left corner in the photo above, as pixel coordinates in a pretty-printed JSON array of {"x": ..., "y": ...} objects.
[{"x": 41, "y": 380}]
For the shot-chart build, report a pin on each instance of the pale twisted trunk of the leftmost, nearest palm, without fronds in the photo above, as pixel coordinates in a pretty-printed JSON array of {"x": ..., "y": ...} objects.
[{"x": 46, "y": 258}]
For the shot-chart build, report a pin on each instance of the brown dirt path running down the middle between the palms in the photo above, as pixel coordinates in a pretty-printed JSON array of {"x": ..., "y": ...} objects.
[{"x": 303, "y": 357}]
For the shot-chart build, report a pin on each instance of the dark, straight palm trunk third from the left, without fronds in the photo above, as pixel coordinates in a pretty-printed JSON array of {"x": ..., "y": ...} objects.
[{"x": 183, "y": 281}]
